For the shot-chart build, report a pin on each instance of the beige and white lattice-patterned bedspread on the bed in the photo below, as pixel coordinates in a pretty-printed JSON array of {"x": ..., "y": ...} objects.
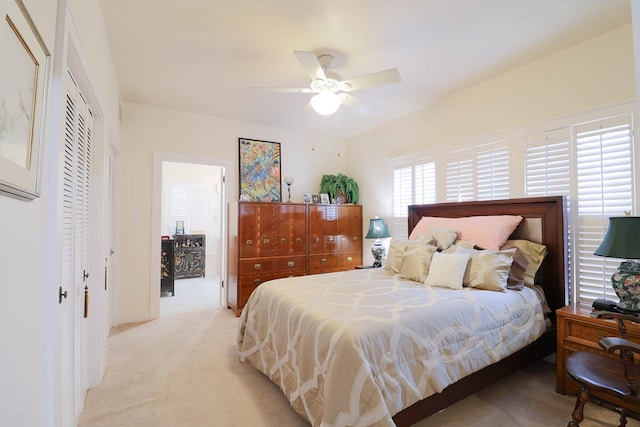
[{"x": 356, "y": 347}]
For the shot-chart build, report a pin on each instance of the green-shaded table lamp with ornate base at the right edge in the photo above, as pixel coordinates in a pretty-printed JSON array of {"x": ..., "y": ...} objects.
[{"x": 622, "y": 240}]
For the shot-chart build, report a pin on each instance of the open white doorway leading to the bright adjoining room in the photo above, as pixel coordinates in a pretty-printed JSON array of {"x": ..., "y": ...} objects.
[{"x": 189, "y": 201}]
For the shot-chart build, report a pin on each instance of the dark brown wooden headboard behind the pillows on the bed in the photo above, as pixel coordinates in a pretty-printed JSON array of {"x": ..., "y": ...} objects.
[{"x": 544, "y": 222}]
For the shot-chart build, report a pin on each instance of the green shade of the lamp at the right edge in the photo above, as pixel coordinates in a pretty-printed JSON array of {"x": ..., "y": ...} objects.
[{"x": 622, "y": 239}]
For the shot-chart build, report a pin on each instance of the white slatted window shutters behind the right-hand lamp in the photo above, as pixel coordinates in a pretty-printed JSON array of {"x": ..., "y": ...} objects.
[{"x": 592, "y": 164}]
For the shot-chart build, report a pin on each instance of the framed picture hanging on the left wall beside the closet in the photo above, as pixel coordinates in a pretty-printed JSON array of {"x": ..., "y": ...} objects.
[{"x": 23, "y": 89}]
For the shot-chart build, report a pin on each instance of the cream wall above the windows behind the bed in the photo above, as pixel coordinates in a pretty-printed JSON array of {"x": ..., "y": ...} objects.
[{"x": 593, "y": 74}]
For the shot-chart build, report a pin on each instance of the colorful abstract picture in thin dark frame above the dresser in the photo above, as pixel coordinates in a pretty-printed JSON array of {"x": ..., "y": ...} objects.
[{"x": 260, "y": 167}]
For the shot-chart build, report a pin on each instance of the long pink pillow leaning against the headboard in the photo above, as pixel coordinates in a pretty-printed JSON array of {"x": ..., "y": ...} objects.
[{"x": 487, "y": 232}]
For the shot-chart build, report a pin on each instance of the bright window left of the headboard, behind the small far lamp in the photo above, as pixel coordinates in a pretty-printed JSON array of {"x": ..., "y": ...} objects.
[{"x": 412, "y": 184}]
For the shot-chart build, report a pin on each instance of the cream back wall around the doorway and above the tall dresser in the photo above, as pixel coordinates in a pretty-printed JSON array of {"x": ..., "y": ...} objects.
[{"x": 146, "y": 129}]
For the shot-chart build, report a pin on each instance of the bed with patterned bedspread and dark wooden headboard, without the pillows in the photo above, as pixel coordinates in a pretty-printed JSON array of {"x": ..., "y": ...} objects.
[{"x": 352, "y": 348}]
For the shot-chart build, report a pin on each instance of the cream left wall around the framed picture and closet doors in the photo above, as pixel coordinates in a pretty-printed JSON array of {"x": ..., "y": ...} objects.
[{"x": 29, "y": 308}]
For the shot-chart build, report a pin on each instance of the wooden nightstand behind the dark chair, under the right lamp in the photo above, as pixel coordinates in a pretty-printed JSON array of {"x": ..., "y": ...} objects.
[{"x": 578, "y": 331}]
